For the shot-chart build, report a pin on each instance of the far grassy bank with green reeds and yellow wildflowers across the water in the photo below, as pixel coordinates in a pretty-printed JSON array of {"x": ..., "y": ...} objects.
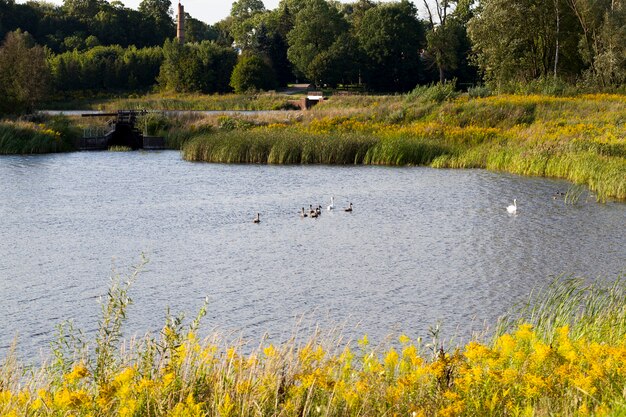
[{"x": 581, "y": 139}]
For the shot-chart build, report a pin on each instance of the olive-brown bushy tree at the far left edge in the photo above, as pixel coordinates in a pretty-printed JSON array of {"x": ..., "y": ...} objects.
[{"x": 24, "y": 73}]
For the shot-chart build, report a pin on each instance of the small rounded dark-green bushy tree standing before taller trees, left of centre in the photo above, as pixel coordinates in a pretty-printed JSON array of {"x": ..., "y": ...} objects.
[{"x": 252, "y": 73}]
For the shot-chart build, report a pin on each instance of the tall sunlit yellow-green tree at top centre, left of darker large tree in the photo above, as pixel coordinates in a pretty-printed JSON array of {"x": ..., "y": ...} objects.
[{"x": 317, "y": 27}]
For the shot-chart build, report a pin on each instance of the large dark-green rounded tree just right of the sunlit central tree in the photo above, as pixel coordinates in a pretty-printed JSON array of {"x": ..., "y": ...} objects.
[{"x": 391, "y": 37}]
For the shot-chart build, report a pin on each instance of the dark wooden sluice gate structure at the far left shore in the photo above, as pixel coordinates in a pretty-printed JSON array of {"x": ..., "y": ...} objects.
[{"x": 120, "y": 131}]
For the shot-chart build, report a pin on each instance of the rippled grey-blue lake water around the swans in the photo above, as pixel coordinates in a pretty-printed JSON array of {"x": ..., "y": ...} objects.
[{"x": 421, "y": 246}]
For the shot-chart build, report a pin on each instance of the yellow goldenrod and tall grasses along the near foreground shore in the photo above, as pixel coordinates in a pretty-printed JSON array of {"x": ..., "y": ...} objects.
[{"x": 563, "y": 354}]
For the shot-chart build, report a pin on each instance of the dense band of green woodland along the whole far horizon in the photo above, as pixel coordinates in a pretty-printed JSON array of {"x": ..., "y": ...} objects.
[{"x": 95, "y": 45}]
